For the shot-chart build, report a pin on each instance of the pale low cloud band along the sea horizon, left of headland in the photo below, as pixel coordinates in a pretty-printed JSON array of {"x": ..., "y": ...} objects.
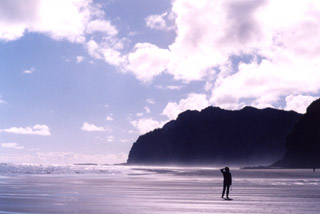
[{"x": 64, "y": 158}]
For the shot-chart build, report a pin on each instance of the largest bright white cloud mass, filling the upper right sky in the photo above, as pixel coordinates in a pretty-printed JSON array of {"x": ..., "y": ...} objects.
[{"x": 281, "y": 40}]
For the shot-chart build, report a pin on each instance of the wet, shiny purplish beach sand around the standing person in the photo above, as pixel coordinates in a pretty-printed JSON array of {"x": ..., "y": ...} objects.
[{"x": 160, "y": 190}]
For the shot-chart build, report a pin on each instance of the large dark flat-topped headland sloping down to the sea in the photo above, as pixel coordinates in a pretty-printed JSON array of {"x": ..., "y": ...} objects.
[{"x": 217, "y": 136}]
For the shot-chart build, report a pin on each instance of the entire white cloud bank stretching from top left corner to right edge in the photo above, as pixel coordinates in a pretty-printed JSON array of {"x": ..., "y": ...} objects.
[{"x": 249, "y": 52}]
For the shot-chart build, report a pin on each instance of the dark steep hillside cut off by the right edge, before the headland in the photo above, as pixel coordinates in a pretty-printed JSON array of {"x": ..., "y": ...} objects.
[{"x": 303, "y": 143}]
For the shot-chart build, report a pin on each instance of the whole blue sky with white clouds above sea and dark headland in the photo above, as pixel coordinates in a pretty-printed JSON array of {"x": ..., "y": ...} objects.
[{"x": 81, "y": 80}]
